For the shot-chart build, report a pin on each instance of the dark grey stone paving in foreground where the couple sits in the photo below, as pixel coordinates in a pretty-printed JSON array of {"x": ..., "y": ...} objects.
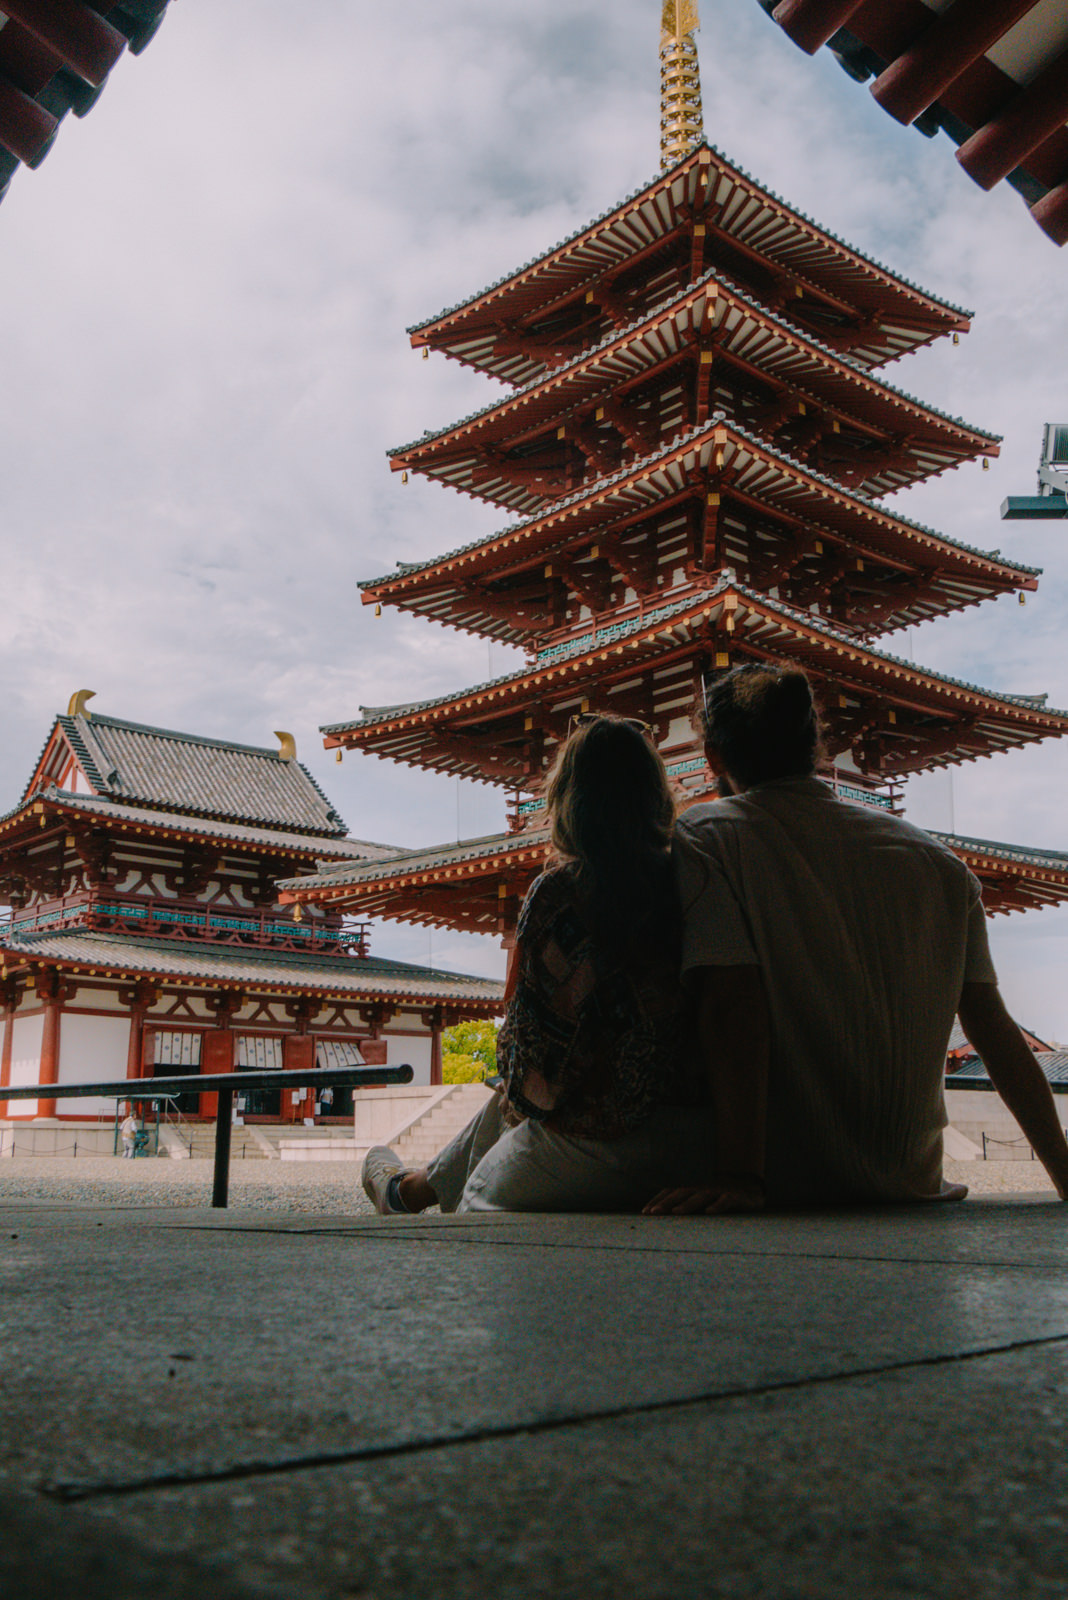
[{"x": 281, "y": 1404}]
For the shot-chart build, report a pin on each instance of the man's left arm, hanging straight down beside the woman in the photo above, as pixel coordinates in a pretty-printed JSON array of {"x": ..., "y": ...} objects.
[{"x": 735, "y": 1046}]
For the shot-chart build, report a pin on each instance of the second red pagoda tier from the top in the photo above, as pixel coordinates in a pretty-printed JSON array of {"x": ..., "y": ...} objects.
[{"x": 707, "y": 348}]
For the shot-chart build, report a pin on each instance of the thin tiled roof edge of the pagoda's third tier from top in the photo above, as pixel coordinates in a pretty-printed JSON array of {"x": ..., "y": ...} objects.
[{"x": 719, "y": 430}]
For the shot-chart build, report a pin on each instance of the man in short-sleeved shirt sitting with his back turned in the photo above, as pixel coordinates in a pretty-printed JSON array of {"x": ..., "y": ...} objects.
[{"x": 832, "y": 946}]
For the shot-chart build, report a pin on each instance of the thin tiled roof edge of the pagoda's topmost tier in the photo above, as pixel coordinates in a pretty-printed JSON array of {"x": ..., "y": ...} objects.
[{"x": 826, "y": 244}]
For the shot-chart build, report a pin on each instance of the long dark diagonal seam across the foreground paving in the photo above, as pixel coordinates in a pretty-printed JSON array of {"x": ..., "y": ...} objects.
[{"x": 114, "y": 1489}]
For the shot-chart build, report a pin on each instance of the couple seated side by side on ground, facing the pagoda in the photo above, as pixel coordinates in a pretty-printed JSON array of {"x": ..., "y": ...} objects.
[{"x": 747, "y": 1007}]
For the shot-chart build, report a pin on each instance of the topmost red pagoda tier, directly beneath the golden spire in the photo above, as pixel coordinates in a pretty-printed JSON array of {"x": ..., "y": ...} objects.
[{"x": 704, "y": 214}]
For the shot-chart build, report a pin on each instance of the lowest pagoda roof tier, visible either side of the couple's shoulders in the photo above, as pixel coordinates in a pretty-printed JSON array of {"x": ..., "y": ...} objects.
[{"x": 479, "y": 886}]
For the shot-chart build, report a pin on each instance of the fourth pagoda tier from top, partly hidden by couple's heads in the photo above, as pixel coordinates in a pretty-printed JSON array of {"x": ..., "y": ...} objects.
[{"x": 885, "y": 716}]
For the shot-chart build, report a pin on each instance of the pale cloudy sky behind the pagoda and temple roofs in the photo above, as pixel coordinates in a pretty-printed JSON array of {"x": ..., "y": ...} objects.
[{"x": 204, "y": 298}]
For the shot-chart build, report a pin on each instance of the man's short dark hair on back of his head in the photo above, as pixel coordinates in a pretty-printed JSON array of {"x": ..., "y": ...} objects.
[{"x": 763, "y": 722}]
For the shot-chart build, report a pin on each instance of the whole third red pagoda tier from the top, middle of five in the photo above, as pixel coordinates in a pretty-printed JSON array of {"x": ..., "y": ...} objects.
[{"x": 666, "y": 526}]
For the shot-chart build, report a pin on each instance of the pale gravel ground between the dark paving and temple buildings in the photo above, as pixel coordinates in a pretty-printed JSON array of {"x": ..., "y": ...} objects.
[{"x": 314, "y": 1186}]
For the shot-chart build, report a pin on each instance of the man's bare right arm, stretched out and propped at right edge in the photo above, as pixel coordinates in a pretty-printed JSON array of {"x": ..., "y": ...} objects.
[{"x": 1018, "y": 1076}]
